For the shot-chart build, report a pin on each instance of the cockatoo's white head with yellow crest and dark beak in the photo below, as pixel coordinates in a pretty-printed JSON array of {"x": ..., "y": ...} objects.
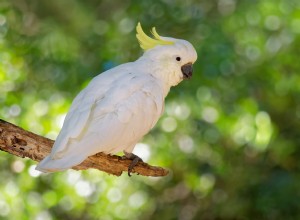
[{"x": 175, "y": 57}]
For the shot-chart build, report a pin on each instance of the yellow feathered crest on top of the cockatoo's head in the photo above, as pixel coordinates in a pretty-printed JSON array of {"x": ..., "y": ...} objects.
[{"x": 147, "y": 42}]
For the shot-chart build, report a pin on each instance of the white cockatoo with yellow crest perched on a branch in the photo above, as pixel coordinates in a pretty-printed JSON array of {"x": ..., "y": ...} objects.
[{"x": 121, "y": 105}]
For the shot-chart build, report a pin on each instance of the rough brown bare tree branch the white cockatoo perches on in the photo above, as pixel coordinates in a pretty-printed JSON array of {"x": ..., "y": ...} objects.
[{"x": 22, "y": 143}]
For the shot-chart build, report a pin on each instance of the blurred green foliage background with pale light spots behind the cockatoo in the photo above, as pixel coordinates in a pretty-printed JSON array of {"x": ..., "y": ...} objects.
[{"x": 230, "y": 135}]
